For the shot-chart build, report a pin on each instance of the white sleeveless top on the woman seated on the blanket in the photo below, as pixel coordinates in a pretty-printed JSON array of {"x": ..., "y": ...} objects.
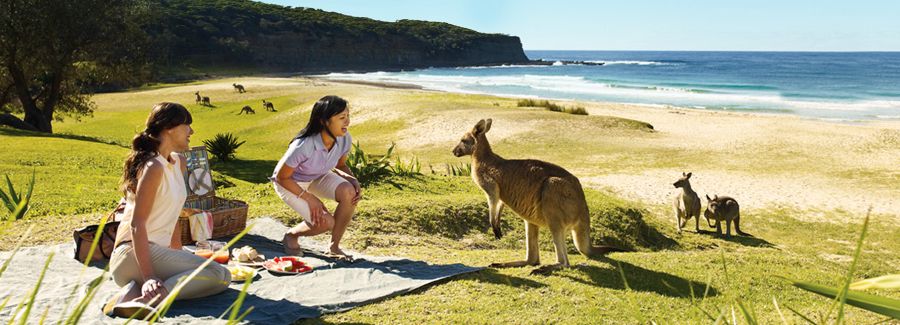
[{"x": 166, "y": 207}]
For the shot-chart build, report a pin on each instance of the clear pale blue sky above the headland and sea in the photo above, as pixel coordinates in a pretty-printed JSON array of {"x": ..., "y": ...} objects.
[{"x": 702, "y": 25}]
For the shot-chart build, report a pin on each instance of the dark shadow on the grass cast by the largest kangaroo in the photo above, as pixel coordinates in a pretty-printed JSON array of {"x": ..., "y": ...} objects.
[{"x": 641, "y": 279}]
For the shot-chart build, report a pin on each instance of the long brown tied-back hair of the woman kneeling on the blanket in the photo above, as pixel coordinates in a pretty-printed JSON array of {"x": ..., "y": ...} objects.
[{"x": 145, "y": 145}]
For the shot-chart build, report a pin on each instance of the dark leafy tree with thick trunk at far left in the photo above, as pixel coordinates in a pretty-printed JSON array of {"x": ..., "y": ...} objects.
[{"x": 52, "y": 52}]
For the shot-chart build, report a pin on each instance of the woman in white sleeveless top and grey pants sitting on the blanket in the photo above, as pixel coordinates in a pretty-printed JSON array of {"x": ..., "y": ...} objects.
[{"x": 148, "y": 261}]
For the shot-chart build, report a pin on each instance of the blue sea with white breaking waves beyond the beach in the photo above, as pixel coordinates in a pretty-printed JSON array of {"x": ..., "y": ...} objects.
[{"x": 825, "y": 85}]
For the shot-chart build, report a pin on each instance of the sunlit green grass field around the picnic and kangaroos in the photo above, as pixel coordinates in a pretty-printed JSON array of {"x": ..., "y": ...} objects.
[{"x": 672, "y": 278}]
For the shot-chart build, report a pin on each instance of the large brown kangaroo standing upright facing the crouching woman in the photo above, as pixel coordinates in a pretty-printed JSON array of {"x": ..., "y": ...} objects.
[{"x": 543, "y": 194}]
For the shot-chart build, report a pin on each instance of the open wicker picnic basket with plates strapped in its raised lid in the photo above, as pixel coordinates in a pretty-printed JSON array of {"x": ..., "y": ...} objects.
[{"x": 229, "y": 216}]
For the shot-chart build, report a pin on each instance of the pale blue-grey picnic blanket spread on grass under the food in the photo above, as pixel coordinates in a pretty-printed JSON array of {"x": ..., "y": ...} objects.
[{"x": 333, "y": 286}]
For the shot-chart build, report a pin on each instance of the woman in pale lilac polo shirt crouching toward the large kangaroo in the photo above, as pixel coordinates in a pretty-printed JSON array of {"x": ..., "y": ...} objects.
[{"x": 315, "y": 167}]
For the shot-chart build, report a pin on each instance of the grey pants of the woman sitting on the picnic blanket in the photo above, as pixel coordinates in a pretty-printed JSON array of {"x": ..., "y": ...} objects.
[{"x": 170, "y": 266}]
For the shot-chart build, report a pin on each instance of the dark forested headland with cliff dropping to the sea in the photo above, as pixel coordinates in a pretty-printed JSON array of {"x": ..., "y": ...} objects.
[{"x": 272, "y": 37}]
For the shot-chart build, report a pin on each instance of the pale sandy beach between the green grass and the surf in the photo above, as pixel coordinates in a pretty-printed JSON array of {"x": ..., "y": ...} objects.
[{"x": 847, "y": 166}]
